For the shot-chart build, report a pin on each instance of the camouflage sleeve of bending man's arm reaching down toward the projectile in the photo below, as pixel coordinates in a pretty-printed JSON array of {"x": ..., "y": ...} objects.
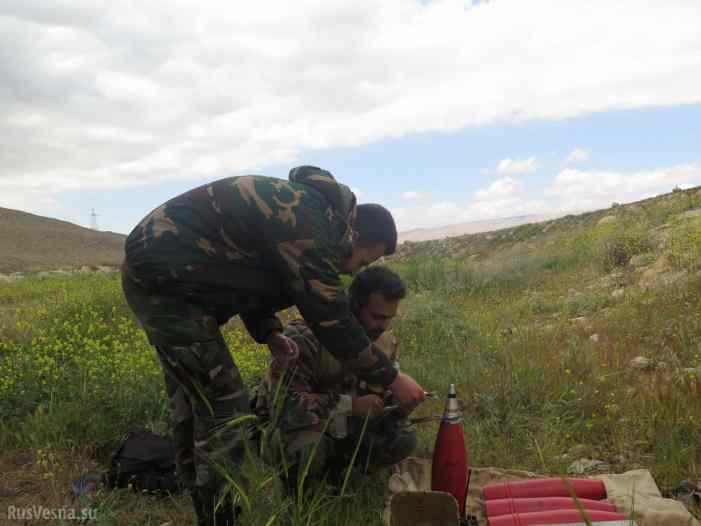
[{"x": 321, "y": 299}]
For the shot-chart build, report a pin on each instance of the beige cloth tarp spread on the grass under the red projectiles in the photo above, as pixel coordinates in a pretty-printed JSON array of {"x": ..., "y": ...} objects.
[{"x": 632, "y": 492}]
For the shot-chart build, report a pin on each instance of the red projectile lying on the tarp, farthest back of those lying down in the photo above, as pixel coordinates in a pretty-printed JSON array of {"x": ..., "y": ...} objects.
[{"x": 552, "y": 487}]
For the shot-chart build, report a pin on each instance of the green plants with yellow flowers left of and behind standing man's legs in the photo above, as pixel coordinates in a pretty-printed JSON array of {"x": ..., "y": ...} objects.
[{"x": 80, "y": 353}]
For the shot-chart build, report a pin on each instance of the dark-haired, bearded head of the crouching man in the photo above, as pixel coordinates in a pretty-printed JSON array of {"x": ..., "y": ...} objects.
[{"x": 375, "y": 294}]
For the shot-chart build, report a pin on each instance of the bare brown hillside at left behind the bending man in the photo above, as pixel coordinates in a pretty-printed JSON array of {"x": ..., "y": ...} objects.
[{"x": 31, "y": 243}]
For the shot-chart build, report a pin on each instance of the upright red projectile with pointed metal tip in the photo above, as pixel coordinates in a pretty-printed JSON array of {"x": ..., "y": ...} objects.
[{"x": 449, "y": 470}]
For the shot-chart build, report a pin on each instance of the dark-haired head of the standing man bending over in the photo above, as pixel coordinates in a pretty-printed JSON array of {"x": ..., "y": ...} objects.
[{"x": 374, "y": 236}]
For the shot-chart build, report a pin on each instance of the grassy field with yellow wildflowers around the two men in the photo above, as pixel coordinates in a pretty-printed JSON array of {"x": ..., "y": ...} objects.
[{"x": 539, "y": 332}]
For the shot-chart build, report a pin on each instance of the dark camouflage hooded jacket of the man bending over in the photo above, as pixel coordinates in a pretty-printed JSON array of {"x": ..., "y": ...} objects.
[{"x": 254, "y": 245}]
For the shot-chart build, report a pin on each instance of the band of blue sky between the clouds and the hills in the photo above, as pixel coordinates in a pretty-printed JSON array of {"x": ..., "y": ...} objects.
[{"x": 451, "y": 166}]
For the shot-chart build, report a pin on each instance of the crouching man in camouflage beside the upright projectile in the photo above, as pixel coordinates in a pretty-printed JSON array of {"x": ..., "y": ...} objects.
[{"x": 319, "y": 407}]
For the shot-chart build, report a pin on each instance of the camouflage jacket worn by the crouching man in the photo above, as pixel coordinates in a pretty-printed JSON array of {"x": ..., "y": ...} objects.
[{"x": 319, "y": 387}]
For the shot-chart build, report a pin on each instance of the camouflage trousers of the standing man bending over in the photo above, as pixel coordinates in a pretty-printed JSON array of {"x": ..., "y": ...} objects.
[{"x": 203, "y": 384}]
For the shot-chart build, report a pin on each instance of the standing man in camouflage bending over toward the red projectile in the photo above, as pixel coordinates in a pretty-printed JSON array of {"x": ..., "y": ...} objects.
[{"x": 249, "y": 246}]
